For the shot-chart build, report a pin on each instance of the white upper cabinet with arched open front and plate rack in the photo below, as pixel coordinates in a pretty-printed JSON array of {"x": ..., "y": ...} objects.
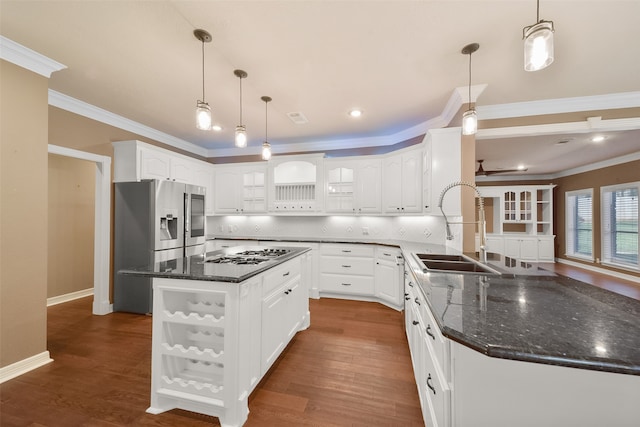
[{"x": 295, "y": 184}]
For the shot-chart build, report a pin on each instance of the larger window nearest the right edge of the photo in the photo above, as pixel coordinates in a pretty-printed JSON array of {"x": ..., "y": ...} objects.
[{"x": 620, "y": 224}]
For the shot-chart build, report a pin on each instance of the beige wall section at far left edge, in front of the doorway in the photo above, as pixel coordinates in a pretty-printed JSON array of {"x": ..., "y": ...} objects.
[{"x": 23, "y": 224}]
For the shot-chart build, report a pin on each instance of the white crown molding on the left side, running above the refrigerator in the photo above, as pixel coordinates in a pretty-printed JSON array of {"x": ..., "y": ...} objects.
[{"x": 81, "y": 108}]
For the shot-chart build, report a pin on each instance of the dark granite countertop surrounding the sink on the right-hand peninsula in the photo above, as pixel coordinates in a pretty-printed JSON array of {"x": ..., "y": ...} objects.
[{"x": 533, "y": 315}]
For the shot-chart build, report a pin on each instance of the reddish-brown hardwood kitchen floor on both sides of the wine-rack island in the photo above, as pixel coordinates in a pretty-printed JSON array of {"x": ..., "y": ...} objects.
[{"x": 350, "y": 368}]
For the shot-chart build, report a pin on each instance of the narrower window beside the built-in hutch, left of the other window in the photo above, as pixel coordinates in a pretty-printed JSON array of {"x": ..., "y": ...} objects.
[{"x": 579, "y": 223}]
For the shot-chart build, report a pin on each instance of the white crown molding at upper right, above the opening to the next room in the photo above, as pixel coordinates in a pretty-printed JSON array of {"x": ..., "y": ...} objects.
[{"x": 559, "y": 105}]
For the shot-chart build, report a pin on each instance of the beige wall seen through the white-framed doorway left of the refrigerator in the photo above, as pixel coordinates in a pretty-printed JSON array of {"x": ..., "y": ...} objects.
[{"x": 71, "y": 188}]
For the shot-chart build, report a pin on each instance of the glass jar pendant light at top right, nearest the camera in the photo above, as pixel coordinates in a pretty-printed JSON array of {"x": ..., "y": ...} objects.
[{"x": 538, "y": 43}]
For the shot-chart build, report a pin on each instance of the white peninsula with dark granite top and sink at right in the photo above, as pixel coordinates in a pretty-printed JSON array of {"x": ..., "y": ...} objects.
[{"x": 502, "y": 349}]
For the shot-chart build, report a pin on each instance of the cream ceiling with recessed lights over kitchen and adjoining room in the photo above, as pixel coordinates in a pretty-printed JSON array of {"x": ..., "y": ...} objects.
[{"x": 398, "y": 60}]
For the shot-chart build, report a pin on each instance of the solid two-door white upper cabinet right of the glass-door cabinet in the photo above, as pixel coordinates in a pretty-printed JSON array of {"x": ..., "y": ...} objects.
[{"x": 401, "y": 183}]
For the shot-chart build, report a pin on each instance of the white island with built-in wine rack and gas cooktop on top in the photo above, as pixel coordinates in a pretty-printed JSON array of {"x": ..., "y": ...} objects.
[{"x": 220, "y": 320}]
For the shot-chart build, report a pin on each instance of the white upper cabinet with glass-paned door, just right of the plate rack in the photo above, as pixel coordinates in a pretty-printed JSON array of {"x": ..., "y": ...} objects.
[{"x": 353, "y": 186}]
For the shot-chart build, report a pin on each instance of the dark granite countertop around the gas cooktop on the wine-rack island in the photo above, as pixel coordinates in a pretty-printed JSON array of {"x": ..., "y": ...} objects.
[{"x": 194, "y": 267}]
